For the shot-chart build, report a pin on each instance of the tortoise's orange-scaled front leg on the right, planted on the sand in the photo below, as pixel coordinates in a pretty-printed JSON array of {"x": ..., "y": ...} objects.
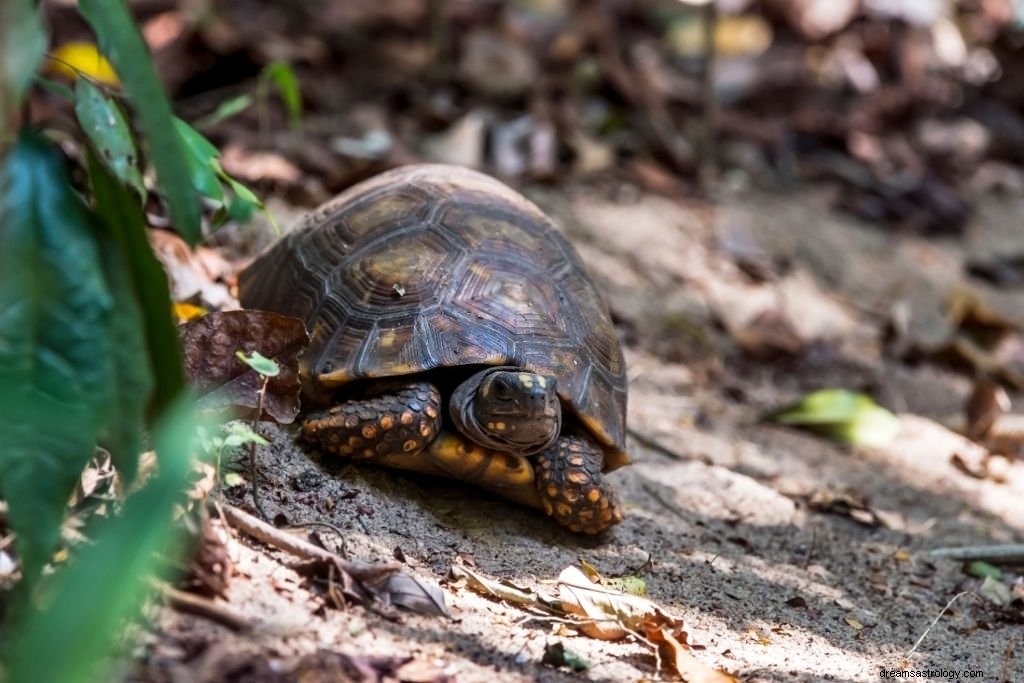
[{"x": 573, "y": 489}]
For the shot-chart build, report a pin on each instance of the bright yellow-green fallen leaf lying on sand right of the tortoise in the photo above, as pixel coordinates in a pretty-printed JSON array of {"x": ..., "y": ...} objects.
[{"x": 841, "y": 415}]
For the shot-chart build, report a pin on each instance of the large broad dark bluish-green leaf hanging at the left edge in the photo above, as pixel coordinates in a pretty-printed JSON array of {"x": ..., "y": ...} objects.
[{"x": 56, "y": 345}]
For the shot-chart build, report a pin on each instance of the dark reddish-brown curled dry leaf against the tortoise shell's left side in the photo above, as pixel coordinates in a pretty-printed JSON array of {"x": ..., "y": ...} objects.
[{"x": 226, "y": 382}]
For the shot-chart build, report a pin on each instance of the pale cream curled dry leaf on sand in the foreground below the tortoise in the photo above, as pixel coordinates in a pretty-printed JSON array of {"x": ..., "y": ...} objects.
[{"x": 611, "y": 615}]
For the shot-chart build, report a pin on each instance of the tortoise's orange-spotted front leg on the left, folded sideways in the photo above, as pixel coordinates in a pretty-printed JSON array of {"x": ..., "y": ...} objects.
[{"x": 403, "y": 420}]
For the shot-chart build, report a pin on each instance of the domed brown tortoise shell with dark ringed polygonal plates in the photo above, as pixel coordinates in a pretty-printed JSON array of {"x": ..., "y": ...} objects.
[{"x": 433, "y": 267}]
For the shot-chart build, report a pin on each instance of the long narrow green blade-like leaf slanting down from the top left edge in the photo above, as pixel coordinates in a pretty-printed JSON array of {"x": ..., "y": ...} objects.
[{"x": 123, "y": 46}]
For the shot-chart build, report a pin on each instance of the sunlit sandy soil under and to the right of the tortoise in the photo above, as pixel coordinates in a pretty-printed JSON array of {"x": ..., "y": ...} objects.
[{"x": 717, "y": 518}]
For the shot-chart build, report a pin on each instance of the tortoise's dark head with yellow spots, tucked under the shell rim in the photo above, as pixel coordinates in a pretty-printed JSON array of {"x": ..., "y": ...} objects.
[{"x": 508, "y": 409}]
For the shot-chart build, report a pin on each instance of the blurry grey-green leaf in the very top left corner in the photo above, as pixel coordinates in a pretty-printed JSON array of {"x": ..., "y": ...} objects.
[{"x": 23, "y": 44}]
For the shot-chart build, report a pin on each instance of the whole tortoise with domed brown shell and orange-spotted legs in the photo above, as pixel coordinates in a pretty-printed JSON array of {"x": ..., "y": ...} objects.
[{"x": 454, "y": 332}]
